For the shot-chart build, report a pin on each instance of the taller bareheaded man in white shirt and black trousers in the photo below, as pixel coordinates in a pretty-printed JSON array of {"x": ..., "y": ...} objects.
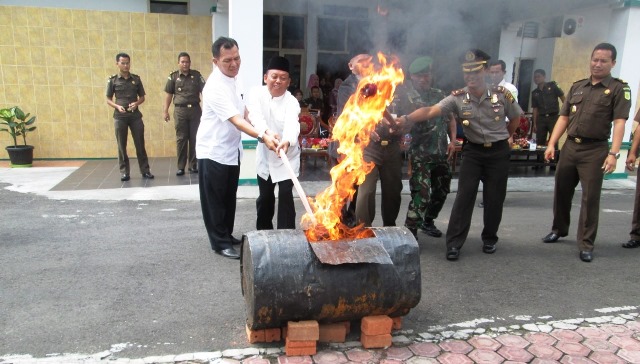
[{"x": 219, "y": 146}]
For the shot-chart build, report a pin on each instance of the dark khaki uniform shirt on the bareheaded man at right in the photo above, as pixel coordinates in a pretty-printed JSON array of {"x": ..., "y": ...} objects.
[{"x": 592, "y": 108}]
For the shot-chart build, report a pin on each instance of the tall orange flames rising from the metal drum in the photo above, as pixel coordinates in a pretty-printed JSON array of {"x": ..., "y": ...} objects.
[{"x": 353, "y": 129}]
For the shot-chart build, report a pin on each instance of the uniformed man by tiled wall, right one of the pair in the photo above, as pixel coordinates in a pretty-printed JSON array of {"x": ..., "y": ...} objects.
[{"x": 184, "y": 86}]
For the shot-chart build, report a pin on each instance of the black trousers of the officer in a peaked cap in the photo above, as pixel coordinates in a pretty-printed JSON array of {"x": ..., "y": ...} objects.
[{"x": 492, "y": 165}]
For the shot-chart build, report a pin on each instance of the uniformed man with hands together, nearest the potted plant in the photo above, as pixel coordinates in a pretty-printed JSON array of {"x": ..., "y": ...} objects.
[{"x": 129, "y": 94}]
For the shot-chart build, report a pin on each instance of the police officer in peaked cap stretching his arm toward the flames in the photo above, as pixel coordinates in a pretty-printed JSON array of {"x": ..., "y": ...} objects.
[{"x": 486, "y": 154}]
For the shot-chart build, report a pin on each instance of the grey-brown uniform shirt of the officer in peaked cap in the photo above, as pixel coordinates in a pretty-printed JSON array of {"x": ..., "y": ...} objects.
[{"x": 482, "y": 118}]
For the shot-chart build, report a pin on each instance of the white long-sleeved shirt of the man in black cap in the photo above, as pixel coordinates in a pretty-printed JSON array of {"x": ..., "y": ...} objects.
[{"x": 279, "y": 115}]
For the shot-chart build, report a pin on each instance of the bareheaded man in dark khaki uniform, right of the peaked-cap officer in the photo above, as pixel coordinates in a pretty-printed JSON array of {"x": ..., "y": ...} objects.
[{"x": 592, "y": 105}]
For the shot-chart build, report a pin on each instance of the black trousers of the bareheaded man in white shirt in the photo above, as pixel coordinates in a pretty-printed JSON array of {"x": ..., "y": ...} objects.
[{"x": 218, "y": 185}]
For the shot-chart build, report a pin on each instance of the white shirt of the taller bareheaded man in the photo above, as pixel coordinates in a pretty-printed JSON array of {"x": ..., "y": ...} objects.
[{"x": 217, "y": 138}]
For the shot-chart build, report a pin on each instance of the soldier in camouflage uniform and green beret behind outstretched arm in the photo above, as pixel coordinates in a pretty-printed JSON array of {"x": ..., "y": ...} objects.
[{"x": 429, "y": 150}]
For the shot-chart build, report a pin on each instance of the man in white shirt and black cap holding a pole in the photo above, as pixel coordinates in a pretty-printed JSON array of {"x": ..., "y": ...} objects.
[{"x": 272, "y": 107}]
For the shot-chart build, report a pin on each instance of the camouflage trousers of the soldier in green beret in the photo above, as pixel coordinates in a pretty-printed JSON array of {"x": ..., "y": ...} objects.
[{"x": 429, "y": 184}]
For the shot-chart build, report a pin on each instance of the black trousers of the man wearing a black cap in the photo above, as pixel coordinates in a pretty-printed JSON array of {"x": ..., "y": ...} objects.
[{"x": 265, "y": 204}]
